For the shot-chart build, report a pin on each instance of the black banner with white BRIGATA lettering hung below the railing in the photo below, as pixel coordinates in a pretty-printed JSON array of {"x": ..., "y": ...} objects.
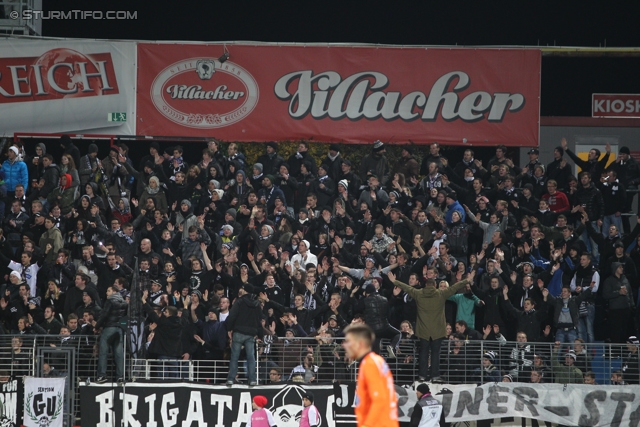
[{"x": 187, "y": 404}]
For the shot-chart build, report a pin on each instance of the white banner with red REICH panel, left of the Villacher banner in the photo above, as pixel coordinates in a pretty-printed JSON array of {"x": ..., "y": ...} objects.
[{"x": 67, "y": 86}]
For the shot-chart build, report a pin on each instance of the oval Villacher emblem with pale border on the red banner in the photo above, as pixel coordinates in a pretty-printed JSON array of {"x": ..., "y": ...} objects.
[{"x": 202, "y": 93}]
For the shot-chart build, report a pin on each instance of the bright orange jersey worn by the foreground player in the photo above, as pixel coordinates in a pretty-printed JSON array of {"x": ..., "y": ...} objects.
[{"x": 376, "y": 400}]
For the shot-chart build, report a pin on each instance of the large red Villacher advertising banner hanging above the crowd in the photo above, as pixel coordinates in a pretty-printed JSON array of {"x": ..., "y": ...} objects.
[{"x": 340, "y": 94}]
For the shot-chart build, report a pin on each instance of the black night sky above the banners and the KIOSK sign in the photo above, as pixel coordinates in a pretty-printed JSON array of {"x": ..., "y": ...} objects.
[{"x": 567, "y": 83}]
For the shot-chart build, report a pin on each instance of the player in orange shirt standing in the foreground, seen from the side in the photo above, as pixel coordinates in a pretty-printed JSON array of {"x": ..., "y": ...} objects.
[{"x": 376, "y": 400}]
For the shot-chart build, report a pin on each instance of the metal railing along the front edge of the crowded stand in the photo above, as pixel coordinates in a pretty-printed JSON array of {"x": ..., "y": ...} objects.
[{"x": 308, "y": 360}]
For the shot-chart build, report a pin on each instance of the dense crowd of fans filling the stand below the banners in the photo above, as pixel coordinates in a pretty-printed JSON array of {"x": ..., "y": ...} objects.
[{"x": 223, "y": 253}]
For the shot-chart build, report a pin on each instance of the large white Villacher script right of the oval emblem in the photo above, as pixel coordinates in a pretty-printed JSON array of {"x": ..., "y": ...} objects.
[{"x": 361, "y": 96}]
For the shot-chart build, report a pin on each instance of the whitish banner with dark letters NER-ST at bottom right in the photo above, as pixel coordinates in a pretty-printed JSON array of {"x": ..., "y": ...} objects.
[{"x": 584, "y": 405}]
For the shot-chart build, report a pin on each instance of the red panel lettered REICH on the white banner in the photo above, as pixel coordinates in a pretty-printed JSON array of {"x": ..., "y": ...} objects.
[{"x": 60, "y": 73}]
